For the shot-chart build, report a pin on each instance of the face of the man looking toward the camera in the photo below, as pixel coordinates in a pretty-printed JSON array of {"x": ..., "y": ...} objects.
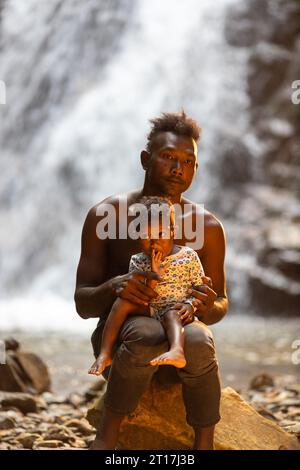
[{"x": 172, "y": 163}]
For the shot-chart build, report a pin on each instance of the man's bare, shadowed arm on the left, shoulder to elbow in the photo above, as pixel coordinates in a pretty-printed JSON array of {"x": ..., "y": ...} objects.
[{"x": 94, "y": 295}]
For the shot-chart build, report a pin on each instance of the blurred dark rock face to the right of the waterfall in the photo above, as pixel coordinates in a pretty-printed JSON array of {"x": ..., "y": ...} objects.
[{"x": 260, "y": 201}]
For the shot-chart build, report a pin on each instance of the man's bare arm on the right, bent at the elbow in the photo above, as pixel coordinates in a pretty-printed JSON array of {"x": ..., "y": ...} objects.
[{"x": 213, "y": 297}]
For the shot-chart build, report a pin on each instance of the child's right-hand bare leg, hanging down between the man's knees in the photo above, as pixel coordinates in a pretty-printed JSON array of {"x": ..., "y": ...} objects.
[{"x": 175, "y": 333}]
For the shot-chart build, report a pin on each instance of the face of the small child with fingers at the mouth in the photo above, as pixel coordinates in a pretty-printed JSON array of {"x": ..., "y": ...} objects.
[{"x": 159, "y": 238}]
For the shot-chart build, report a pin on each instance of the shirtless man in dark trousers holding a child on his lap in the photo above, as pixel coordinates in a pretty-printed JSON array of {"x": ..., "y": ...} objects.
[{"x": 170, "y": 163}]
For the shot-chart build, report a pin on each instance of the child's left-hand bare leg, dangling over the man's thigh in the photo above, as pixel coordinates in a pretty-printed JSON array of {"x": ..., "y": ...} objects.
[{"x": 120, "y": 310}]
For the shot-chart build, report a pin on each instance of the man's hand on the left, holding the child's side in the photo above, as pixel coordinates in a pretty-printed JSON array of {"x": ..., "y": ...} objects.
[{"x": 132, "y": 287}]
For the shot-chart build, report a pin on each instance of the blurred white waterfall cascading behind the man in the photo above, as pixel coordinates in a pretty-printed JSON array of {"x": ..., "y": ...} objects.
[{"x": 82, "y": 81}]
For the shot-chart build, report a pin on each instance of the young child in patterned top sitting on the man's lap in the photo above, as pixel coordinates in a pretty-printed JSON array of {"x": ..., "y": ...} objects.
[{"x": 180, "y": 269}]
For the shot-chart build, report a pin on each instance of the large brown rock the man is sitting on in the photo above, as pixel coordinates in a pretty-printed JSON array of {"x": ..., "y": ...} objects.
[{"x": 159, "y": 423}]
